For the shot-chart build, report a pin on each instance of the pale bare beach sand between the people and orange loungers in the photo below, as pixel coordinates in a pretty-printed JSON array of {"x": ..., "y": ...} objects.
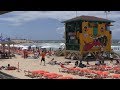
[{"x": 34, "y": 64}]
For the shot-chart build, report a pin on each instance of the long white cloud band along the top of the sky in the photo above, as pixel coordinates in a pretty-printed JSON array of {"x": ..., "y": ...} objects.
[{"x": 17, "y": 17}]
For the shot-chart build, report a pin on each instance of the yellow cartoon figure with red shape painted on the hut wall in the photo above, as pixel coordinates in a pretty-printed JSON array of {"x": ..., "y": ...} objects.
[{"x": 94, "y": 37}]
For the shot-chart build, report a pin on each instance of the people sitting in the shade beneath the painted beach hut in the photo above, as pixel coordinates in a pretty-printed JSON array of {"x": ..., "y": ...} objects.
[{"x": 99, "y": 58}]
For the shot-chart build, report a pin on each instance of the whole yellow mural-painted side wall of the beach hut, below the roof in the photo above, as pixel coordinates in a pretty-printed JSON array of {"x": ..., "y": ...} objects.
[{"x": 95, "y": 37}]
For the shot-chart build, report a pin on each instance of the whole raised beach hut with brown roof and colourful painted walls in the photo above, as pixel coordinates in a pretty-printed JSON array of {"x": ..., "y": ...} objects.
[{"x": 87, "y": 34}]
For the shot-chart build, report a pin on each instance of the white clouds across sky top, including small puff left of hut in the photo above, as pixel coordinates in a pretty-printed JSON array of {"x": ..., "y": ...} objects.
[{"x": 18, "y": 18}]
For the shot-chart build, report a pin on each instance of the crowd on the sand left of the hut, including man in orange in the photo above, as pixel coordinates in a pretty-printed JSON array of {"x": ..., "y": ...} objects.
[{"x": 36, "y": 53}]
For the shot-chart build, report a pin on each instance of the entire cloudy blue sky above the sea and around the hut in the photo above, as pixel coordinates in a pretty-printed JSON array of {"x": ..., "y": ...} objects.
[{"x": 46, "y": 25}]
